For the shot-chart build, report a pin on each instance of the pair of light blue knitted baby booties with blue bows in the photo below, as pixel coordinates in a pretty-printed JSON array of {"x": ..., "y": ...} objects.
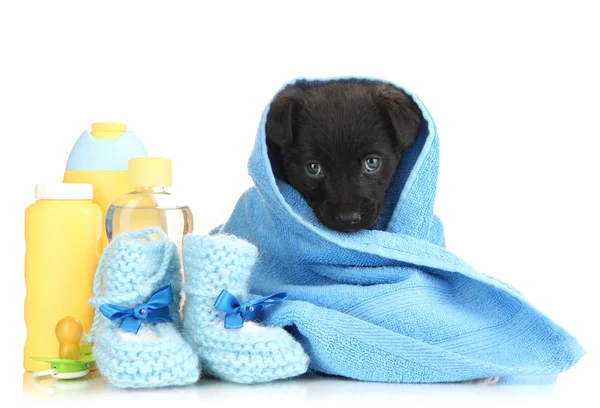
[{"x": 141, "y": 340}]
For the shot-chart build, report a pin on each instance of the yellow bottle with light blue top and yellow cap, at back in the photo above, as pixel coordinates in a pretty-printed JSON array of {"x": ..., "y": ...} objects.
[{"x": 100, "y": 158}]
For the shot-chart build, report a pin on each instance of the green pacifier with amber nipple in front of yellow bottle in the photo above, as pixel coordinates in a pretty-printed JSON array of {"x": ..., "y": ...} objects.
[{"x": 73, "y": 360}]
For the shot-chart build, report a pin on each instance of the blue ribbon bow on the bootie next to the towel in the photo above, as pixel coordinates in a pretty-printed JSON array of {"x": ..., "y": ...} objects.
[{"x": 236, "y": 311}]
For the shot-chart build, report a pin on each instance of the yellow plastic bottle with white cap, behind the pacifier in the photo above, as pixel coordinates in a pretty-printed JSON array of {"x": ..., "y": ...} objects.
[{"x": 62, "y": 232}]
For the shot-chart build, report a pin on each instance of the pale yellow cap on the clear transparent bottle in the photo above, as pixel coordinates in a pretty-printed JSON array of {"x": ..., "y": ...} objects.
[{"x": 150, "y": 172}]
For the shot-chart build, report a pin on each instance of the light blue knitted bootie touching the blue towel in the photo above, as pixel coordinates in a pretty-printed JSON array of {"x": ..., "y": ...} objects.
[{"x": 220, "y": 265}]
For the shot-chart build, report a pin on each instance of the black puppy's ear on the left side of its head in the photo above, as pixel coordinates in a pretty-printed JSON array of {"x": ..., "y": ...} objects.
[{"x": 281, "y": 119}]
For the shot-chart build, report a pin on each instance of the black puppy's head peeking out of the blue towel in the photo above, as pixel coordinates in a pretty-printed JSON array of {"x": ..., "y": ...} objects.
[{"x": 340, "y": 146}]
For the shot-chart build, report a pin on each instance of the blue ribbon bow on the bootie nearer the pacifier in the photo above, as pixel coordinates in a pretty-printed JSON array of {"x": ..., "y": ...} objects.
[{"x": 155, "y": 310}]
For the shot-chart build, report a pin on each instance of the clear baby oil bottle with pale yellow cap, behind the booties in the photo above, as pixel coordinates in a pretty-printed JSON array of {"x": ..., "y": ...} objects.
[{"x": 150, "y": 204}]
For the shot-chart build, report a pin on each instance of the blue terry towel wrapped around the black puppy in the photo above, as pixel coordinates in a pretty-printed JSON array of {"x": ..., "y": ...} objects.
[{"x": 390, "y": 304}]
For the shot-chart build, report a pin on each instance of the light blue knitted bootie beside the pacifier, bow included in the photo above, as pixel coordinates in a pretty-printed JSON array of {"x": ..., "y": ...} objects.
[{"x": 135, "y": 343}]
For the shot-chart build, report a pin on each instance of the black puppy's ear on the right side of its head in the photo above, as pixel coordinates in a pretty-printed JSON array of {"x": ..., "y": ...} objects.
[{"x": 402, "y": 112}]
